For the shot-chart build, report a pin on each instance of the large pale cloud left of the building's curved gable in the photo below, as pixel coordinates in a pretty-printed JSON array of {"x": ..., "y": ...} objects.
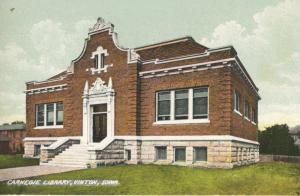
[{"x": 54, "y": 46}]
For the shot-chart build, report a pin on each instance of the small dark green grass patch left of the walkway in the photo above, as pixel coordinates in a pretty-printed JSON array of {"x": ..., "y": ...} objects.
[{"x": 8, "y": 161}]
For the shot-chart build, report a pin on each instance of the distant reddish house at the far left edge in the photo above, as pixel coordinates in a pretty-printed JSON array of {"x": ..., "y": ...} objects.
[{"x": 11, "y": 138}]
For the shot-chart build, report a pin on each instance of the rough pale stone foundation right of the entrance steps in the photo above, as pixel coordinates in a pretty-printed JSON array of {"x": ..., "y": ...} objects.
[{"x": 220, "y": 154}]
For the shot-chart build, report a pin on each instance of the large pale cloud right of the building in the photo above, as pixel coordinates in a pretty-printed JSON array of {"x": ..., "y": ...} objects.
[{"x": 271, "y": 53}]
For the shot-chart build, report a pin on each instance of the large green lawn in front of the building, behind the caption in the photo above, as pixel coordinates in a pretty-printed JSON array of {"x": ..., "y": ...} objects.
[{"x": 263, "y": 178}]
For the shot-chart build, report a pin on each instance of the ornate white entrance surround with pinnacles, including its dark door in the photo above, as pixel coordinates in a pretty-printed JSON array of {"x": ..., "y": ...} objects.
[{"x": 98, "y": 111}]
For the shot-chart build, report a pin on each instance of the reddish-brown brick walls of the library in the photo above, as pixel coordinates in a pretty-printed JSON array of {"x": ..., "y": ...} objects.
[{"x": 135, "y": 97}]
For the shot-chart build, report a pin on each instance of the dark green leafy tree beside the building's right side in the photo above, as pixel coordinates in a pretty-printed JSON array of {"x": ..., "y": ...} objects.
[{"x": 276, "y": 140}]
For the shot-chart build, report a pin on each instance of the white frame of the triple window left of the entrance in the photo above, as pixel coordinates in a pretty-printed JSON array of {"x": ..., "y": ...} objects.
[{"x": 45, "y": 114}]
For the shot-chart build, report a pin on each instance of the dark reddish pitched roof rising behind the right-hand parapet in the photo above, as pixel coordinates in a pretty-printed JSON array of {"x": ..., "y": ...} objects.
[{"x": 172, "y": 48}]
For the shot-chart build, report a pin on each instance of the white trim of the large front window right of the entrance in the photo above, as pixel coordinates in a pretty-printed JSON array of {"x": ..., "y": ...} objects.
[{"x": 190, "y": 119}]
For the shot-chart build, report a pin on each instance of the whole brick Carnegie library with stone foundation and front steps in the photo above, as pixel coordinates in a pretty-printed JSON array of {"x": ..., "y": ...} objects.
[{"x": 174, "y": 102}]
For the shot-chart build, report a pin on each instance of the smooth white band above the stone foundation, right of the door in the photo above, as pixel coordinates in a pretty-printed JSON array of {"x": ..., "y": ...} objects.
[{"x": 188, "y": 138}]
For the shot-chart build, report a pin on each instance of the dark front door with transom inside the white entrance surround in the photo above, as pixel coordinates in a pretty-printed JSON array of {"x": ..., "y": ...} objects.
[{"x": 99, "y": 122}]
